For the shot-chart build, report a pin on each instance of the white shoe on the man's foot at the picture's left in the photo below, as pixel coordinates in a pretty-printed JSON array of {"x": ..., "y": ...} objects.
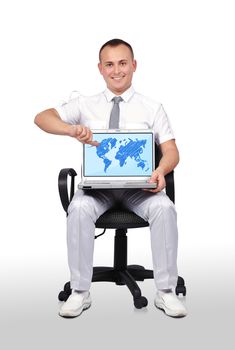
[{"x": 75, "y": 304}]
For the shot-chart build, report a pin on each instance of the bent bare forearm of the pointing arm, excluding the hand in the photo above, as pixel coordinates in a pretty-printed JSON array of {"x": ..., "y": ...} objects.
[{"x": 50, "y": 121}]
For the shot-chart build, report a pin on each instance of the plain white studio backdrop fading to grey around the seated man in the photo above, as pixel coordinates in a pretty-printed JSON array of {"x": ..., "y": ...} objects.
[{"x": 185, "y": 54}]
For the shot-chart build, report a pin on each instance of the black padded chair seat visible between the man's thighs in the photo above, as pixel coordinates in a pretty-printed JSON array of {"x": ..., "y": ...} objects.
[{"x": 120, "y": 219}]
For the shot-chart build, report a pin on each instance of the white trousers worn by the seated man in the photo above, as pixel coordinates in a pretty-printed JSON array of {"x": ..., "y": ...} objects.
[{"x": 156, "y": 208}]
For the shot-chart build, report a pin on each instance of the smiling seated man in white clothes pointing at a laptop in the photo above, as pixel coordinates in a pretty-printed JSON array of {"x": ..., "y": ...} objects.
[{"x": 76, "y": 119}]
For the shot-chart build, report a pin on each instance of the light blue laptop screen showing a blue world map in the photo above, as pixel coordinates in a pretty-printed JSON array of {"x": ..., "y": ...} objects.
[{"x": 119, "y": 154}]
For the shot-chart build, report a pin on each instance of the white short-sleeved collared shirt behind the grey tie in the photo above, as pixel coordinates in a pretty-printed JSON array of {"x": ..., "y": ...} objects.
[{"x": 136, "y": 112}]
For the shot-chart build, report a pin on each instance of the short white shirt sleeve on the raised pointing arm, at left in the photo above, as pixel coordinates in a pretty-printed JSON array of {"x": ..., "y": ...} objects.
[{"x": 70, "y": 111}]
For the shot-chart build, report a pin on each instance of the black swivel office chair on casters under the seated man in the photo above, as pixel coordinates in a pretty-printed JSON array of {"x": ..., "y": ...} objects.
[{"x": 121, "y": 220}]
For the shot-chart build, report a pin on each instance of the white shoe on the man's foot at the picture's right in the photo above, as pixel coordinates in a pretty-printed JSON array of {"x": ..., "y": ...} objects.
[{"x": 170, "y": 303}]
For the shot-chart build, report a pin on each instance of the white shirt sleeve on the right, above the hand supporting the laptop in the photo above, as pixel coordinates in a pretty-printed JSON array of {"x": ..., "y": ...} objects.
[{"x": 162, "y": 127}]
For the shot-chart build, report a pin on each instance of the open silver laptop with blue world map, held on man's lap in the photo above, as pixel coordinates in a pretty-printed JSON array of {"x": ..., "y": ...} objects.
[{"x": 123, "y": 159}]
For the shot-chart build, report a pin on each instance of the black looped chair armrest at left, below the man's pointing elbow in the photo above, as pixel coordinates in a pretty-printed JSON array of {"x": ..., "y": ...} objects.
[{"x": 63, "y": 186}]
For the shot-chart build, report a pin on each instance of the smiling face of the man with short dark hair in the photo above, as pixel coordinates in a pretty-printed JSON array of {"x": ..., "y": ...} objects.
[{"x": 117, "y": 67}]
